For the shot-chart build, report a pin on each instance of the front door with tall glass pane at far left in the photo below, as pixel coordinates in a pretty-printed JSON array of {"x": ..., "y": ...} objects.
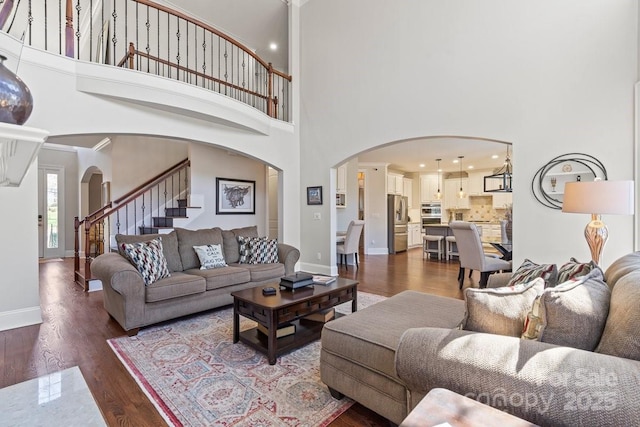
[{"x": 50, "y": 212}]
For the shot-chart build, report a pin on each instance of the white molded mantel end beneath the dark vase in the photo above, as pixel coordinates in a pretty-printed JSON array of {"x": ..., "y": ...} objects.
[{"x": 19, "y": 146}]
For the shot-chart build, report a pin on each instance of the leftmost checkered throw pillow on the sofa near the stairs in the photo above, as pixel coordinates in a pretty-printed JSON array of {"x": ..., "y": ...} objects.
[{"x": 148, "y": 259}]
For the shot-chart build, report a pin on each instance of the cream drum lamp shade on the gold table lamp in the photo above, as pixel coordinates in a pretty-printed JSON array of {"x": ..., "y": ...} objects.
[{"x": 599, "y": 197}]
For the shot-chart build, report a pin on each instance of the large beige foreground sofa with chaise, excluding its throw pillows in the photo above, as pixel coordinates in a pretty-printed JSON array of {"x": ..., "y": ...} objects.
[{"x": 390, "y": 355}]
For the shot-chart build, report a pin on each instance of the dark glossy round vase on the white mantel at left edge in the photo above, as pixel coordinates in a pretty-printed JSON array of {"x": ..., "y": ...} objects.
[{"x": 16, "y": 101}]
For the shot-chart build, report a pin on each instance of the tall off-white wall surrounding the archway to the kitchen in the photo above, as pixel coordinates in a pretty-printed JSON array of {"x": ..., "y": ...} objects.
[{"x": 550, "y": 77}]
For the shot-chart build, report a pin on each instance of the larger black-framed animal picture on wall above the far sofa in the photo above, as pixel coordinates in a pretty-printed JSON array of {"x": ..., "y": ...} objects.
[{"x": 235, "y": 196}]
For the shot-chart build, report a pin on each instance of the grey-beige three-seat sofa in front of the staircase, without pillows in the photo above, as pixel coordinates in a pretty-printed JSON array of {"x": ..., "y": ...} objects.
[{"x": 188, "y": 289}]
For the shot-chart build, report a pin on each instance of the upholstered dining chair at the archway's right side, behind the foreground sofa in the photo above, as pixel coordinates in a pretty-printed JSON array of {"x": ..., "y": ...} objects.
[{"x": 471, "y": 253}]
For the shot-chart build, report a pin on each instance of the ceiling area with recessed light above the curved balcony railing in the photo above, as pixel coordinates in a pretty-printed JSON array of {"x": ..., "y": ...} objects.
[{"x": 254, "y": 23}]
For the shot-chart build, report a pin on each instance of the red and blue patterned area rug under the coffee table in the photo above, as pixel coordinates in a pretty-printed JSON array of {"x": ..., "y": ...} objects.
[{"x": 195, "y": 376}]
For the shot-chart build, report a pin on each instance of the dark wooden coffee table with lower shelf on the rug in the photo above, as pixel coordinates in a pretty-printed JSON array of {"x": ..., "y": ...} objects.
[{"x": 287, "y": 307}]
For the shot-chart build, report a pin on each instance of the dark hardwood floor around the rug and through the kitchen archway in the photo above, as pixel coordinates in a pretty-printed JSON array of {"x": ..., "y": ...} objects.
[{"x": 75, "y": 329}]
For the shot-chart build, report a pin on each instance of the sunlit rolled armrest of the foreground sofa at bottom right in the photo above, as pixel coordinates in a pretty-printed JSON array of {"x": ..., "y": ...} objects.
[{"x": 540, "y": 382}]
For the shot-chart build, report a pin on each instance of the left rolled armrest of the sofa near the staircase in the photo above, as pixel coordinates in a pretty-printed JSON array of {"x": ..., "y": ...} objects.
[{"x": 123, "y": 289}]
